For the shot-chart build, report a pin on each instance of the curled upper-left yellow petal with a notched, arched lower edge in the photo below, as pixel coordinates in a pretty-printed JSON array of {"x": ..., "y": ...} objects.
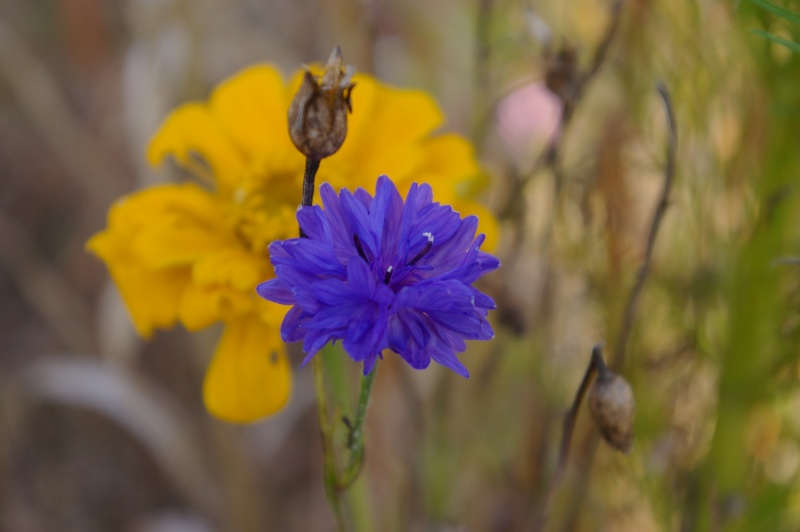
[{"x": 189, "y": 133}]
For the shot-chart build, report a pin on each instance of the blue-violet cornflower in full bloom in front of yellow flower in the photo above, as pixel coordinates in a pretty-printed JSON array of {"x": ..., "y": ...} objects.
[{"x": 380, "y": 273}]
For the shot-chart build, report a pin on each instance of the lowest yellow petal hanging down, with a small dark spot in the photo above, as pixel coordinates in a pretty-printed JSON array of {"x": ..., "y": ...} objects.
[{"x": 249, "y": 377}]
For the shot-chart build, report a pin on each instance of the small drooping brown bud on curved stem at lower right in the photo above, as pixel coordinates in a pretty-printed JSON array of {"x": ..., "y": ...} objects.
[{"x": 612, "y": 406}]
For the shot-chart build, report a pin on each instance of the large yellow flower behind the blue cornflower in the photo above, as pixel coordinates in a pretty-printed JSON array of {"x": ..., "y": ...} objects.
[{"x": 194, "y": 252}]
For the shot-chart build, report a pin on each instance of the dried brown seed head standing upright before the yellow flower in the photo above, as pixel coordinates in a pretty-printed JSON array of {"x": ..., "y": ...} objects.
[{"x": 318, "y": 114}]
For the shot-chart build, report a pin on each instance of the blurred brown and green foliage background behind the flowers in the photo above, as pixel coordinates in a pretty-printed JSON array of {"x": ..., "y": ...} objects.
[{"x": 99, "y": 431}]
